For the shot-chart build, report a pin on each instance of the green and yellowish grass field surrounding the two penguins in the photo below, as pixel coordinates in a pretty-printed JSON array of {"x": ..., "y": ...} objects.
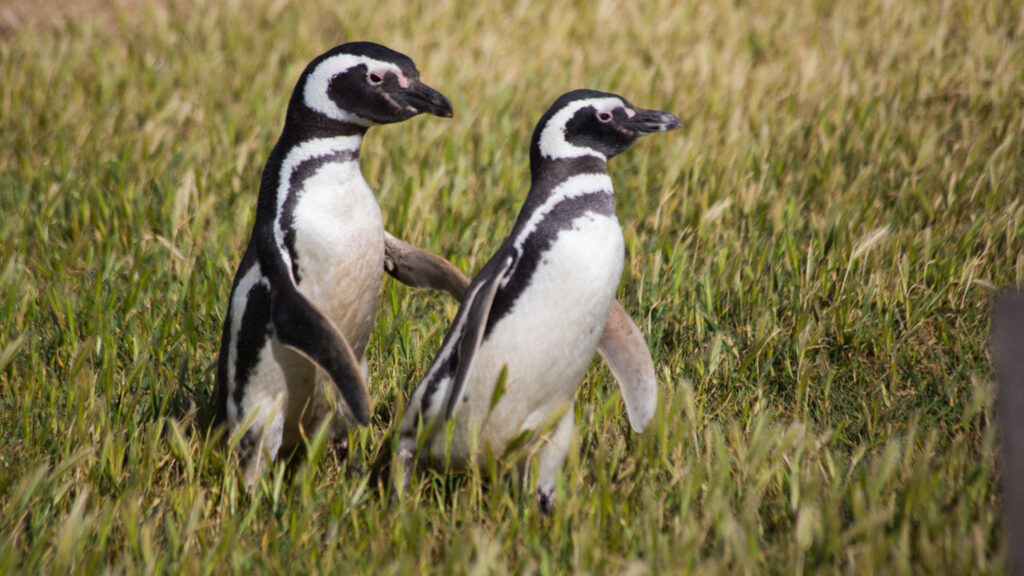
[{"x": 812, "y": 260}]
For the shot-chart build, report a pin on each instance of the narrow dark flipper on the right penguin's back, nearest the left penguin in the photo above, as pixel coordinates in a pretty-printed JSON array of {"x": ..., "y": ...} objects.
[{"x": 475, "y": 312}]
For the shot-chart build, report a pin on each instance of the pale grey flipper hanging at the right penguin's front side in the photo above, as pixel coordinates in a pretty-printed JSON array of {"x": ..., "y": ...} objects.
[{"x": 626, "y": 353}]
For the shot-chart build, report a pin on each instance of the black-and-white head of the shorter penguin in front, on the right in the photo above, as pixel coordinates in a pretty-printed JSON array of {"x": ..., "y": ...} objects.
[{"x": 596, "y": 125}]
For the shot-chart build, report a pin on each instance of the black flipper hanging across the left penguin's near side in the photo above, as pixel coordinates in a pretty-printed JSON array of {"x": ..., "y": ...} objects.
[{"x": 302, "y": 327}]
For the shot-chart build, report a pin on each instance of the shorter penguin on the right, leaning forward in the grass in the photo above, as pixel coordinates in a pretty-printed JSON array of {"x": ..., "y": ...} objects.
[{"x": 532, "y": 320}]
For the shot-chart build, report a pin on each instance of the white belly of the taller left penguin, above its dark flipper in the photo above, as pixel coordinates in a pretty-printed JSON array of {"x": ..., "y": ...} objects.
[{"x": 340, "y": 246}]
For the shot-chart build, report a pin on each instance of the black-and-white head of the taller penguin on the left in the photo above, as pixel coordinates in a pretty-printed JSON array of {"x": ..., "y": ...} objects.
[{"x": 365, "y": 85}]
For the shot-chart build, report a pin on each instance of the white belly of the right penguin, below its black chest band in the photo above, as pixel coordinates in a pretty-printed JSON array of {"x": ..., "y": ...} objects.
[{"x": 548, "y": 341}]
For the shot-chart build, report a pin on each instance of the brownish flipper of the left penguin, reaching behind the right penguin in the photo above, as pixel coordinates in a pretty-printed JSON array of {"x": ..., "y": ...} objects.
[{"x": 421, "y": 269}]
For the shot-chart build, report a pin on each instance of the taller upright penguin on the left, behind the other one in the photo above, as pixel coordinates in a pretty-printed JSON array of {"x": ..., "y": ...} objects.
[{"x": 305, "y": 297}]
